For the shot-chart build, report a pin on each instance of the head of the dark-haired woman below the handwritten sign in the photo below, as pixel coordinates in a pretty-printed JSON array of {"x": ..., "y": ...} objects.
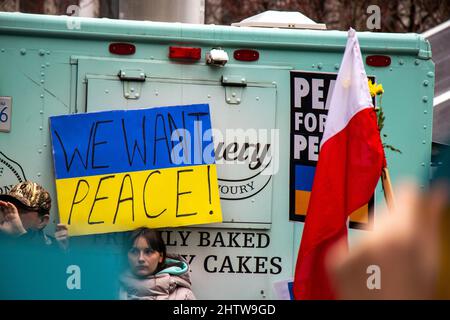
[{"x": 146, "y": 252}]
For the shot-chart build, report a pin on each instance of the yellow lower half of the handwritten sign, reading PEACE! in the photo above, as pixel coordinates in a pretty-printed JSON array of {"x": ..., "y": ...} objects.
[{"x": 118, "y": 202}]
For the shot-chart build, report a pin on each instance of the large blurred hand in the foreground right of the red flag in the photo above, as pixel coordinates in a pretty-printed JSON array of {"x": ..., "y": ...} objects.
[{"x": 405, "y": 247}]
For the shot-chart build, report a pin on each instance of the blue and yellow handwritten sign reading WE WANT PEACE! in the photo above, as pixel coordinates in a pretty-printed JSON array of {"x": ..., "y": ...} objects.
[{"x": 120, "y": 170}]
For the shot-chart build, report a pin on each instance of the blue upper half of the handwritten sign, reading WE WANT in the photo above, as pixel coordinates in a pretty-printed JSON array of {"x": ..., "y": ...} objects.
[{"x": 131, "y": 140}]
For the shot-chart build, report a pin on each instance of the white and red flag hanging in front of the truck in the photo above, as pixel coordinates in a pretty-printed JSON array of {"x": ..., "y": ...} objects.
[{"x": 350, "y": 162}]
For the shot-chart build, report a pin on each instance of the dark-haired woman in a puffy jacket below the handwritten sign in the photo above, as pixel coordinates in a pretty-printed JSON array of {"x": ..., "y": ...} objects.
[{"x": 151, "y": 273}]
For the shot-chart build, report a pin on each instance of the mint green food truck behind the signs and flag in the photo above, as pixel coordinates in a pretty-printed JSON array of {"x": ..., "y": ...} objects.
[{"x": 60, "y": 65}]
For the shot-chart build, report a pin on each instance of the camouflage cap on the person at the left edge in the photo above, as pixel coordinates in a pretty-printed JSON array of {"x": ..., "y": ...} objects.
[{"x": 30, "y": 195}]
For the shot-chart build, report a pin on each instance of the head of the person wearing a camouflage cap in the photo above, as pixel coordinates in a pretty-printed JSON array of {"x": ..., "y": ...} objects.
[{"x": 33, "y": 203}]
